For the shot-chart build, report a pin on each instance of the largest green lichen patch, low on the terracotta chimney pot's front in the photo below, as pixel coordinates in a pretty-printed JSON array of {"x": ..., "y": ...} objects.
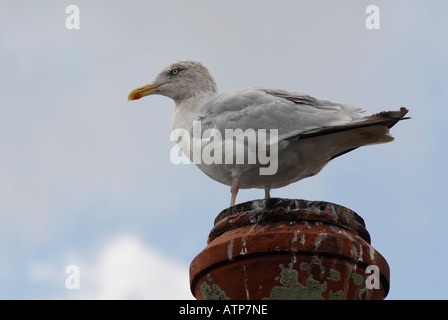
[{"x": 293, "y": 290}]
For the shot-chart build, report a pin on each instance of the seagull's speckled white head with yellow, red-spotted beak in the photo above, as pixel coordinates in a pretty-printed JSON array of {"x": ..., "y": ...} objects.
[{"x": 179, "y": 81}]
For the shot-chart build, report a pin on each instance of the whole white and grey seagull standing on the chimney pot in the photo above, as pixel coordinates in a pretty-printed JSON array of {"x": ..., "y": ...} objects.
[{"x": 302, "y": 133}]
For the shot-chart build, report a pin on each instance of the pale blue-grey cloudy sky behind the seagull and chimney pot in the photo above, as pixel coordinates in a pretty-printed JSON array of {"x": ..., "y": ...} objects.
[{"x": 86, "y": 178}]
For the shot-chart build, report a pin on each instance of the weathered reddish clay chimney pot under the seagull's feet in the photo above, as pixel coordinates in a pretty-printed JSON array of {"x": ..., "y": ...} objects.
[{"x": 288, "y": 249}]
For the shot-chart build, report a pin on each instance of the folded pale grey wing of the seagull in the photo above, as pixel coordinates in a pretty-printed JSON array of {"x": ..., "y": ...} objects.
[{"x": 292, "y": 114}]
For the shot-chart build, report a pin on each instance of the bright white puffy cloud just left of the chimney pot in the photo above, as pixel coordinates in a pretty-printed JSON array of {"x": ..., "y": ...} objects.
[{"x": 128, "y": 269}]
